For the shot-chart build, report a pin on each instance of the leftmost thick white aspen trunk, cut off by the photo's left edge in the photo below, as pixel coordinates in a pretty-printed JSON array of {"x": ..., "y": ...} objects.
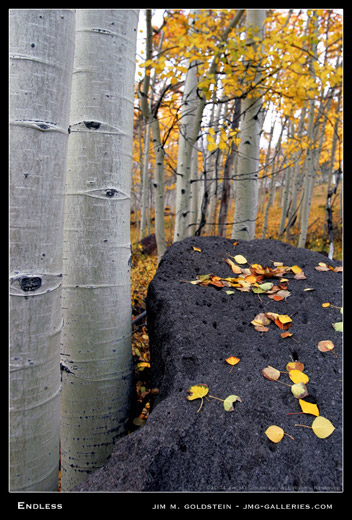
[{"x": 41, "y": 58}]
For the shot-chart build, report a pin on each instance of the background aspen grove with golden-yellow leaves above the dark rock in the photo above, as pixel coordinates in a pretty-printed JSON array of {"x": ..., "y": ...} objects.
[{"x": 200, "y": 73}]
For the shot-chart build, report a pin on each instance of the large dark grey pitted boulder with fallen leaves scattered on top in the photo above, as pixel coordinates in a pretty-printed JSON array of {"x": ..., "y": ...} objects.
[{"x": 193, "y": 329}]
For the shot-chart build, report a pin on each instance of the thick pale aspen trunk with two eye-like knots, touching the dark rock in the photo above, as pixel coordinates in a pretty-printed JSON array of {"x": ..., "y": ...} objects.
[{"x": 96, "y": 353}]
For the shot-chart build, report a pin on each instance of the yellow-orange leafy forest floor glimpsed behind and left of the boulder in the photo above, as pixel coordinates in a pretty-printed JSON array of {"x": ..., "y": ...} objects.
[{"x": 144, "y": 267}]
